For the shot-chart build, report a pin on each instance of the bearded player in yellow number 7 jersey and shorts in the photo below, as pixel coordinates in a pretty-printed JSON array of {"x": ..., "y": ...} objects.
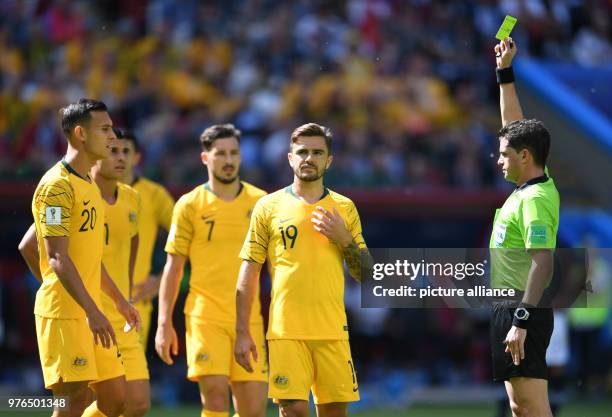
[{"x": 208, "y": 228}]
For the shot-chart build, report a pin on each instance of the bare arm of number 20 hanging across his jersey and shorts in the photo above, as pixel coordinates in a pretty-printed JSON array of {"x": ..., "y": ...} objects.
[{"x": 59, "y": 260}]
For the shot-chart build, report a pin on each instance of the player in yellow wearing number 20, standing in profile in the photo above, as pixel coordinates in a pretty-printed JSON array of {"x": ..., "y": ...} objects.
[{"x": 68, "y": 215}]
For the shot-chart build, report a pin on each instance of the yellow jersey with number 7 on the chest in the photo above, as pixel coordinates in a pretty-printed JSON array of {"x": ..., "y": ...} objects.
[{"x": 210, "y": 232}]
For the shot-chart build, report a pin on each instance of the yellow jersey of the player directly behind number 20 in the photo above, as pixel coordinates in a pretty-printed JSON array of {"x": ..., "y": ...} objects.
[{"x": 120, "y": 226}]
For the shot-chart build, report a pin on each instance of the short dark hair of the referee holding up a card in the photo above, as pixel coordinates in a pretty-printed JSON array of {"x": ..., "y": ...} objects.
[{"x": 528, "y": 134}]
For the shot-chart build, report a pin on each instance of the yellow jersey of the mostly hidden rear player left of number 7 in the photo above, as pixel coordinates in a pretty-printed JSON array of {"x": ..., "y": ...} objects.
[{"x": 156, "y": 210}]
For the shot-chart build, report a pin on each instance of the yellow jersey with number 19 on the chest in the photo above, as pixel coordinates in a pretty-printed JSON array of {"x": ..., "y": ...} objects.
[{"x": 307, "y": 269}]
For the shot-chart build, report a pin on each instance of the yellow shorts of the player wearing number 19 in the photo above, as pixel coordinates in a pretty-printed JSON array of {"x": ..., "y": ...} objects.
[{"x": 325, "y": 366}]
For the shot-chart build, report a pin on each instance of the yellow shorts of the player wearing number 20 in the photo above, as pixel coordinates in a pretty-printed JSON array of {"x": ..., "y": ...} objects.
[{"x": 68, "y": 352}]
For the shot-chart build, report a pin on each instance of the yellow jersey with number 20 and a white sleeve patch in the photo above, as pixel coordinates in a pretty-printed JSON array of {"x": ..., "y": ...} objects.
[{"x": 65, "y": 204}]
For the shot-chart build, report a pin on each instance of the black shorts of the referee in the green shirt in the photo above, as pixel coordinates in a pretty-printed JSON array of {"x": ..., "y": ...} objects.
[{"x": 541, "y": 323}]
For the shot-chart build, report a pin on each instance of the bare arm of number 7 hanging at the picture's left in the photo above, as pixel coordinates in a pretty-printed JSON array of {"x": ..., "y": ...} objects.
[{"x": 166, "y": 340}]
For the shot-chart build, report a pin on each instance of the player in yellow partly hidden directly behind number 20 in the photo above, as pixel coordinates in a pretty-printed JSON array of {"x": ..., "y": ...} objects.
[{"x": 123, "y": 207}]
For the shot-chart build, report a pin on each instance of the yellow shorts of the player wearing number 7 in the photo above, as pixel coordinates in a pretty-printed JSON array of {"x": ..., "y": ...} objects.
[{"x": 210, "y": 351}]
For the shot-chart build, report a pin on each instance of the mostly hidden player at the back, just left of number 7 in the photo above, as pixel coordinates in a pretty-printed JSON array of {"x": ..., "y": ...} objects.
[{"x": 156, "y": 212}]
